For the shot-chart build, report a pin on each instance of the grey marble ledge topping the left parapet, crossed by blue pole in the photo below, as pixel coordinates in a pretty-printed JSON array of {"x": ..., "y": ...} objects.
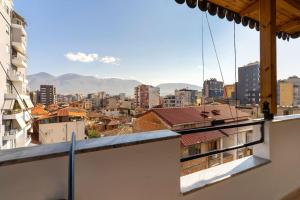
[{"x": 28, "y": 154}]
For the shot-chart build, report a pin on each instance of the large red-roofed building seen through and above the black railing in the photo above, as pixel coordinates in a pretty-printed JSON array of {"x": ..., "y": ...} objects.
[{"x": 193, "y": 117}]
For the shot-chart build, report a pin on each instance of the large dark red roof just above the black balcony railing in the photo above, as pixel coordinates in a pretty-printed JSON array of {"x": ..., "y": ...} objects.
[{"x": 197, "y": 114}]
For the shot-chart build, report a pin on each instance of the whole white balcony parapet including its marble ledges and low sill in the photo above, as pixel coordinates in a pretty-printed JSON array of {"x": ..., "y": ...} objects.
[{"x": 147, "y": 166}]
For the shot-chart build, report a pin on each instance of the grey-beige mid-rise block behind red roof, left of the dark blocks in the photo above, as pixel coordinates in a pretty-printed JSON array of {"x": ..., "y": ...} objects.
[{"x": 186, "y": 97}]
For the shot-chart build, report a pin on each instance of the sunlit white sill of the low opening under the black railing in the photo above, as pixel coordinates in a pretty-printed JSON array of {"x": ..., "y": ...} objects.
[{"x": 210, "y": 176}]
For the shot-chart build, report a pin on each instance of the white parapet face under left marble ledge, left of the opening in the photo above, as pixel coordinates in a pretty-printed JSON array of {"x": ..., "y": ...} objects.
[{"x": 143, "y": 171}]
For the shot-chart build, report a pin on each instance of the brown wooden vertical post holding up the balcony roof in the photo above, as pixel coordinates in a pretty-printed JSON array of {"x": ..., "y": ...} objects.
[{"x": 268, "y": 79}]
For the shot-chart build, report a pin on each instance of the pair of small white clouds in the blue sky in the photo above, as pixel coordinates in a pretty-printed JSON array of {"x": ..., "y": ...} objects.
[{"x": 87, "y": 58}]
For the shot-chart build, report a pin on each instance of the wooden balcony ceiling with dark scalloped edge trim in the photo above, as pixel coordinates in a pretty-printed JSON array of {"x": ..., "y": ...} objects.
[{"x": 247, "y": 12}]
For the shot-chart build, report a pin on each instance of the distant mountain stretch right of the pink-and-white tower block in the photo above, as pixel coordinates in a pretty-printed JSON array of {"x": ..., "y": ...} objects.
[{"x": 169, "y": 88}]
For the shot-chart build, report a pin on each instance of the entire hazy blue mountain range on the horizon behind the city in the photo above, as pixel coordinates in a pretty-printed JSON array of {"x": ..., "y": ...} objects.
[{"x": 75, "y": 83}]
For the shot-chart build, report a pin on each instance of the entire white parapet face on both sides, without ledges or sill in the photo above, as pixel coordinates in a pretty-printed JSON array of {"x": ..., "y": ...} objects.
[{"x": 151, "y": 171}]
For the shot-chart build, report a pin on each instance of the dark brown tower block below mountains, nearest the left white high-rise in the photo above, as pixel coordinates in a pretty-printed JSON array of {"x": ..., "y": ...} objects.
[{"x": 47, "y": 95}]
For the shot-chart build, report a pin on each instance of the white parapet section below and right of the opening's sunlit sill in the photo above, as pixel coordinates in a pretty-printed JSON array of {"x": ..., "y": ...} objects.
[{"x": 272, "y": 181}]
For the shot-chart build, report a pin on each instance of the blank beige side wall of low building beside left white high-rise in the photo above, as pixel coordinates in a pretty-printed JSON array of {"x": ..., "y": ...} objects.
[{"x": 61, "y": 132}]
